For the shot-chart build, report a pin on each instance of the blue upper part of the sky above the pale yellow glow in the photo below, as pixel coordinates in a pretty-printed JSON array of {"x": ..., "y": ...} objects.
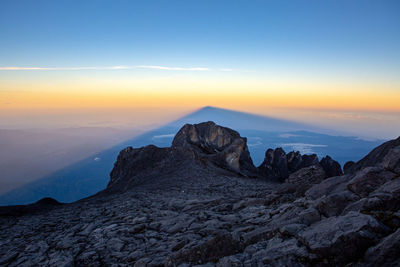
[{"x": 232, "y": 34}]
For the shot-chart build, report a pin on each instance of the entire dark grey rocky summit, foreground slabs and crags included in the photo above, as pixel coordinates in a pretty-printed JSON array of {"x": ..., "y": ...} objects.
[{"x": 202, "y": 202}]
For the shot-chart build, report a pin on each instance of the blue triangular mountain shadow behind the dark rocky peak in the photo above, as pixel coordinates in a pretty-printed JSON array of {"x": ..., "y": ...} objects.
[{"x": 91, "y": 175}]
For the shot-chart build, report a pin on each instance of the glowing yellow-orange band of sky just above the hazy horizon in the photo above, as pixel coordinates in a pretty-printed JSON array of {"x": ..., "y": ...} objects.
[{"x": 191, "y": 91}]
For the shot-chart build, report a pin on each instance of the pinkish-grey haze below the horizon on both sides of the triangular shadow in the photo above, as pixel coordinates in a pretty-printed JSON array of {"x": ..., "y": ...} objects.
[{"x": 36, "y": 144}]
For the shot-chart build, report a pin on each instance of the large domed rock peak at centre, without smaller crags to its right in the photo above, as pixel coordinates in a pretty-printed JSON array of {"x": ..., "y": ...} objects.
[{"x": 204, "y": 146}]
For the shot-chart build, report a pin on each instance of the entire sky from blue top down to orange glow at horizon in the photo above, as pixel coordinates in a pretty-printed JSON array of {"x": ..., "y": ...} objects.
[{"x": 258, "y": 56}]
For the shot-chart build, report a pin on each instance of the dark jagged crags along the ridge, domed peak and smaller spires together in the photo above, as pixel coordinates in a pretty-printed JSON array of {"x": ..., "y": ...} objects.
[{"x": 207, "y": 145}]
